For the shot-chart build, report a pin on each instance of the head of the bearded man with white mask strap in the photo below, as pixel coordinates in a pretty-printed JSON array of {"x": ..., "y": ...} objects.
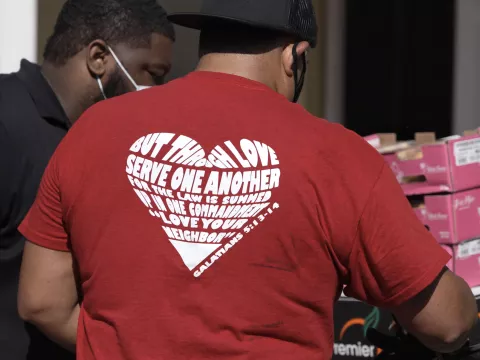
[{"x": 104, "y": 43}]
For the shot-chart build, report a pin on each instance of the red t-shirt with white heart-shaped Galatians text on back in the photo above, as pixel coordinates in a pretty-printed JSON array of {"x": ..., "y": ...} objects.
[{"x": 213, "y": 219}]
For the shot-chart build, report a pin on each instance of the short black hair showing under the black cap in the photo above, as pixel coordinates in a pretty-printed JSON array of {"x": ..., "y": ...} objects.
[{"x": 231, "y": 38}]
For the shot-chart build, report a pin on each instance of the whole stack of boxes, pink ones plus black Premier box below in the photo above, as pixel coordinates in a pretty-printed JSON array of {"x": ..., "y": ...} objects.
[{"x": 441, "y": 179}]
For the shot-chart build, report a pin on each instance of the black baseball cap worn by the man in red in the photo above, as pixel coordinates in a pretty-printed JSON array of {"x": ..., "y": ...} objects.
[{"x": 290, "y": 17}]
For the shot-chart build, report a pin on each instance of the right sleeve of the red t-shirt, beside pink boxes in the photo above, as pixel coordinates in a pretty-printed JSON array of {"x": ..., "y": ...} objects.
[{"x": 393, "y": 256}]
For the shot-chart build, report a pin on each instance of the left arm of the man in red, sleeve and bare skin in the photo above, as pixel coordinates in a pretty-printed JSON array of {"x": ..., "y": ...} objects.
[{"x": 48, "y": 296}]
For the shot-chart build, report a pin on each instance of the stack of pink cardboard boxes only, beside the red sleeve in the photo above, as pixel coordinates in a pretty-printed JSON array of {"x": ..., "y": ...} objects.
[{"x": 441, "y": 179}]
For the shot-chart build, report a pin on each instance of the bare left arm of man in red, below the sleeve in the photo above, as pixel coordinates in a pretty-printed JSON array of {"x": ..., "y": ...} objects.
[{"x": 47, "y": 295}]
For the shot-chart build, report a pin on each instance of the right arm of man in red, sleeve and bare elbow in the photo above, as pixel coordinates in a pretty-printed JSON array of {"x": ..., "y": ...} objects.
[{"x": 397, "y": 264}]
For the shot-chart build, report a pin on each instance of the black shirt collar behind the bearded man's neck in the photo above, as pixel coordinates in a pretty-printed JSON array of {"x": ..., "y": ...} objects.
[{"x": 42, "y": 94}]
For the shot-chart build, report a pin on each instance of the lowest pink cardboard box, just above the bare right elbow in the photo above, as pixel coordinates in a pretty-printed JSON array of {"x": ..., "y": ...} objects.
[{"x": 466, "y": 261}]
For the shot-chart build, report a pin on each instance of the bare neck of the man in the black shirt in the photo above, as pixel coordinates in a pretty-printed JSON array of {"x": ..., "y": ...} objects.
[{"x": 66, "y": 88}]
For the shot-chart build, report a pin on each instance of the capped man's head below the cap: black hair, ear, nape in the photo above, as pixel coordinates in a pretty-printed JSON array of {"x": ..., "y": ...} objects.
[{"x": 265, "y": 55}]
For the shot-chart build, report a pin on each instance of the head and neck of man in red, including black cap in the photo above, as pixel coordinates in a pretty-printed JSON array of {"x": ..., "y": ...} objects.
[{"x": 264, "y": 40}]
